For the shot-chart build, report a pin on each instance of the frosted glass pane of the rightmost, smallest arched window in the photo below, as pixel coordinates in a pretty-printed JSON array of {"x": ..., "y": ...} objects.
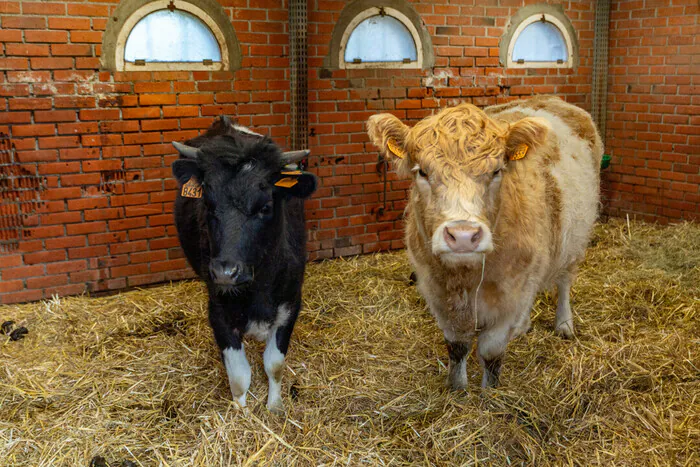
[{"x": 540, "y": 42}]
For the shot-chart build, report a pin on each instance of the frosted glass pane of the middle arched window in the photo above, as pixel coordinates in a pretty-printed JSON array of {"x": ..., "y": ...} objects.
[{"x": 380, "y": 39}]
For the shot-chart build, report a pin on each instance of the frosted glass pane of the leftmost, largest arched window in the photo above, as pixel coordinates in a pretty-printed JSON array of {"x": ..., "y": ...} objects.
[{"x": 171, "y": 36}]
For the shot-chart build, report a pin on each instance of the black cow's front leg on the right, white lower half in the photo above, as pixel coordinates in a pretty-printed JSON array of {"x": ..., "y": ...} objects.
[{"x": 273, "y": 358}]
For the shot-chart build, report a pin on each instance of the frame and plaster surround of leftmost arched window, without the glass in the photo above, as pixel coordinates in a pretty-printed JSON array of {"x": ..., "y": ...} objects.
[{"x": 130, "y": 12}]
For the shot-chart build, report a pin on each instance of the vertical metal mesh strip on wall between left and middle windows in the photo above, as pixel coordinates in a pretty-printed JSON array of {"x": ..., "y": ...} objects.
[{"x": 299, "y": 72}]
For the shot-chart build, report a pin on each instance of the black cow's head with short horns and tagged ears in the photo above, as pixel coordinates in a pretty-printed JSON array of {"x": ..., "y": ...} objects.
[{"x": 244, "y": 190}]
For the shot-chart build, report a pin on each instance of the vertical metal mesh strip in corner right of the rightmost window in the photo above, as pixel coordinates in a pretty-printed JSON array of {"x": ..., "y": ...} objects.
[{"x": 600, "y": 64}]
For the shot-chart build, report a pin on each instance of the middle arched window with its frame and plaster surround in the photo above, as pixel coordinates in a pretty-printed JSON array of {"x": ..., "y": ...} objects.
[{"x": 370, "y": 34}]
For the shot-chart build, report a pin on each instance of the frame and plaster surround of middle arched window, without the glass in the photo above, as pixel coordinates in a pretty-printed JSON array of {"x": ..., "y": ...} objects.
[{"x": 358, "y": 11}]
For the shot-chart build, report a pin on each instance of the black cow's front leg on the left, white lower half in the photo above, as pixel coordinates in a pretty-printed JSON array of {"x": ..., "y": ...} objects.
[{"x": 232, "y": 353}]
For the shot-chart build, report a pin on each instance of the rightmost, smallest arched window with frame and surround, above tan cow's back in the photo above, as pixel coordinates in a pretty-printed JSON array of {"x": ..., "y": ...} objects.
[{"x": 539, "y": 36}]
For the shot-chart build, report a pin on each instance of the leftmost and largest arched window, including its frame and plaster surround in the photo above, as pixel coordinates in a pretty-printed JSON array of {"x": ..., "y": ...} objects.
[{"x": 168, "y": 35}]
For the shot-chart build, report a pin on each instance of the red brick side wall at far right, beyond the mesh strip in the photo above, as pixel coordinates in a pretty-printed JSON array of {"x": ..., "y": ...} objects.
[{"x": 653, "y": 129}]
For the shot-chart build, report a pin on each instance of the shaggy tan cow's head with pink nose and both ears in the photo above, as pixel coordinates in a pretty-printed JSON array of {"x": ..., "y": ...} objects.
[{"x": 457, "y": 159}]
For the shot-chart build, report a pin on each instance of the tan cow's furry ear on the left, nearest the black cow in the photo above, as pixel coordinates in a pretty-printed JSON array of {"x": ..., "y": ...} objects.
[{"x": 389, "y": 135}]
